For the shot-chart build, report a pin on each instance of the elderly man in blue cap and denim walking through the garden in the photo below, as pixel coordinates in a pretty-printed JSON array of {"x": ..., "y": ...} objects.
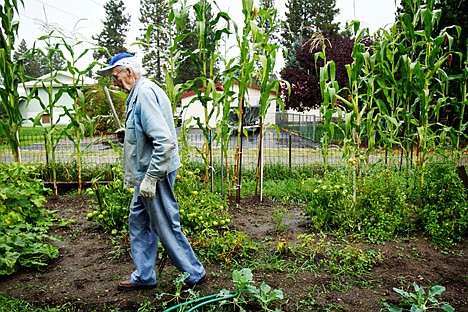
[{"x": 150, "y": 161}]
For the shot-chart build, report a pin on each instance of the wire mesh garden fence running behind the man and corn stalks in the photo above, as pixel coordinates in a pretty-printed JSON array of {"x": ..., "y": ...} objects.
[{"x": 286, "y": 148}]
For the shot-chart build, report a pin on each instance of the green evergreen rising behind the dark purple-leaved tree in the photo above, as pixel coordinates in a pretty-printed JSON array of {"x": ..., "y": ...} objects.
[{"x": 305, "y": 17}]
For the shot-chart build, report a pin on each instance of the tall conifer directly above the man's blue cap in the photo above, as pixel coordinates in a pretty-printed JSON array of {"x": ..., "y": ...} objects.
[{"x": 113, "y": 36}]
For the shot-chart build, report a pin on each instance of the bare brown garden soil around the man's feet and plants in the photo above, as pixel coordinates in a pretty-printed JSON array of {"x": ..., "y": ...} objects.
[{"x": 90, "y": 266}]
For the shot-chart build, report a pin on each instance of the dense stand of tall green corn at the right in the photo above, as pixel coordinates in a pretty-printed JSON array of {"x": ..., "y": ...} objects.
[{"x": 398, "y": 86}]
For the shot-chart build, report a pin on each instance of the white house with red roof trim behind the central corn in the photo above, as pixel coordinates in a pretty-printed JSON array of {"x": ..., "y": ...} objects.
[{"x": 192, "y": 108}]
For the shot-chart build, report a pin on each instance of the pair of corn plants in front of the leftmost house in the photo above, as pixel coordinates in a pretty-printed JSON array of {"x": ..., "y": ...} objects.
[{"x": 58, "y": 44}]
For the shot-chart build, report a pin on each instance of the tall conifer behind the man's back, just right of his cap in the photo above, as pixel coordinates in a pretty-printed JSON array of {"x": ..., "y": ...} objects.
[{"x": 154, "y": 12}]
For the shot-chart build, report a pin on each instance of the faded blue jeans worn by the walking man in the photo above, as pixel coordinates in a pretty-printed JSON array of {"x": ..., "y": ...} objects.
[{"x": 158, "y": 218}]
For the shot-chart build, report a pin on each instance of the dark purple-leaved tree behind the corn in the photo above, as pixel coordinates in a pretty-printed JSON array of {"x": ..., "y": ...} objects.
[{"x": 303, "y": 73}]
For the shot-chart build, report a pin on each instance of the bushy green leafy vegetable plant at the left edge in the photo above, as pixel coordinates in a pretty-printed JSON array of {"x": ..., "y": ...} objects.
[{"x": 24, "y": 222}]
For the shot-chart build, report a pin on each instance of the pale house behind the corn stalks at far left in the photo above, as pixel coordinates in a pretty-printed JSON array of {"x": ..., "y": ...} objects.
[{"x": 29, "y": 111}]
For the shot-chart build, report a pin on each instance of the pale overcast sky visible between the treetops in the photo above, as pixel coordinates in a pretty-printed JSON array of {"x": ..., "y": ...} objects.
[{"x": 85, "y": 17}]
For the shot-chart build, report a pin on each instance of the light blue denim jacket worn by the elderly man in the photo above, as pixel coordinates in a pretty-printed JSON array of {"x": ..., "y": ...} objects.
[{"x": 150, "y": 145}]
